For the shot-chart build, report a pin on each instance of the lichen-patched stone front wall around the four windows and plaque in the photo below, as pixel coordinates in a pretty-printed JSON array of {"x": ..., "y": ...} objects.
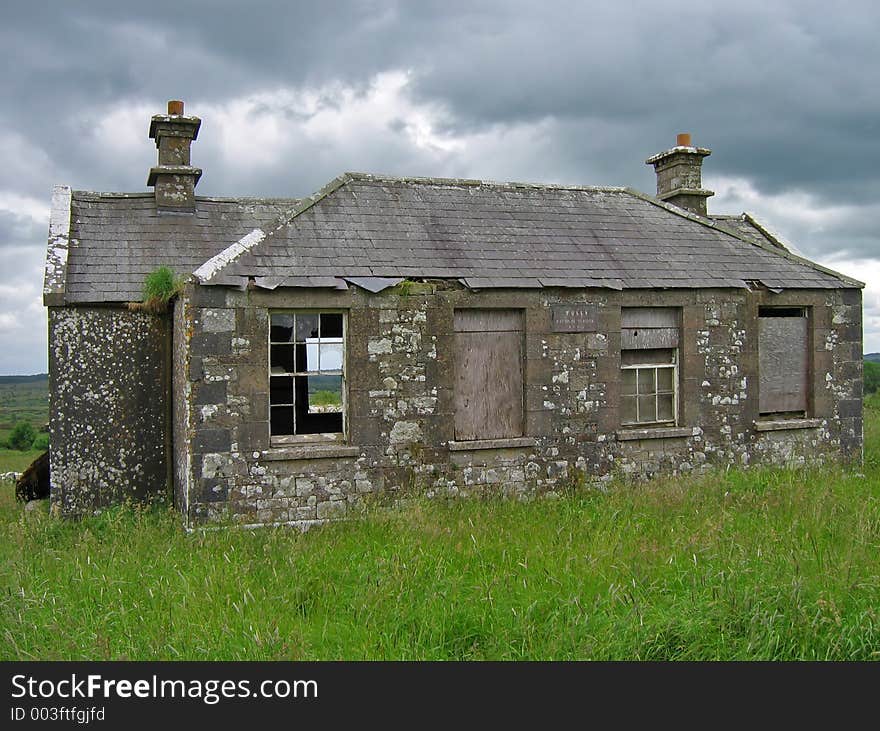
[{"x": 400, "y": 400}]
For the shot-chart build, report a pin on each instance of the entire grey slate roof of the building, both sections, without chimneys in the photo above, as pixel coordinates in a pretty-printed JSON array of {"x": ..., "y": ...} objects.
[{"x": 362, "y": 228}]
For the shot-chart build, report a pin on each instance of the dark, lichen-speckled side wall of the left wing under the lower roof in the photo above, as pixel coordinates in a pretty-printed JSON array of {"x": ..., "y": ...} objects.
[{"x": 108, "y": 416}]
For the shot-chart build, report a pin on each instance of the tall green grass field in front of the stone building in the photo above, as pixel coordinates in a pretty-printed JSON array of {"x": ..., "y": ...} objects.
[{"x": 763, "y": 564}]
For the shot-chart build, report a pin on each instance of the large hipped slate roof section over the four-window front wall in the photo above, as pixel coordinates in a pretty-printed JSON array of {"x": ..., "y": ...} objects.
[{"x": 507, "y": 235}]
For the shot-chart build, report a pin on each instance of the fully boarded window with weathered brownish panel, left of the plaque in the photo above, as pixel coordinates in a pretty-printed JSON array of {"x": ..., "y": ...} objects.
[{"x": 488, "y": 379}]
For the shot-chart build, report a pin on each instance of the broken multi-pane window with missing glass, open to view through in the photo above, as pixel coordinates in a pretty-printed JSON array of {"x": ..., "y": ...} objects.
[{"x": 306, "y": 373}]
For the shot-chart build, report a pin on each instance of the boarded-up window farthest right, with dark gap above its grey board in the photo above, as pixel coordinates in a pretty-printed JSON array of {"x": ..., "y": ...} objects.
[{"x": 783, "y": 360}]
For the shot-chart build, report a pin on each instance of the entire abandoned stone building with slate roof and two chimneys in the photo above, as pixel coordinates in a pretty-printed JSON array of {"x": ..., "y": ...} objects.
[{"x": 454, "y": 337}]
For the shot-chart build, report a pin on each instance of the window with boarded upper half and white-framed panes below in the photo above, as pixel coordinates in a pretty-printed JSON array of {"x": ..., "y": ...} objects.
[{"x": 649, "y": 366}]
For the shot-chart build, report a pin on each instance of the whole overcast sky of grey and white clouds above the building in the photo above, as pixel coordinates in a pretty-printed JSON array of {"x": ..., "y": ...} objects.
[{"x": 293, "y": 93}]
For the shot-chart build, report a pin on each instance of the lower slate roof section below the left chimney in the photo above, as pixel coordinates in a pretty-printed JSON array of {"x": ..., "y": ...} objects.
[{"x": 117, "y": 239}]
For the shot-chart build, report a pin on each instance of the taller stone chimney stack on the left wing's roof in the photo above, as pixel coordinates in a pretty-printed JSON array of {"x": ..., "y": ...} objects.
[{"x": 174, "y": 178}]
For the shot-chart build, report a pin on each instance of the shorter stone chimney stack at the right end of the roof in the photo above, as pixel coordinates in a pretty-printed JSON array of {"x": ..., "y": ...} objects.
[{"x": 679, "y": 175}]
